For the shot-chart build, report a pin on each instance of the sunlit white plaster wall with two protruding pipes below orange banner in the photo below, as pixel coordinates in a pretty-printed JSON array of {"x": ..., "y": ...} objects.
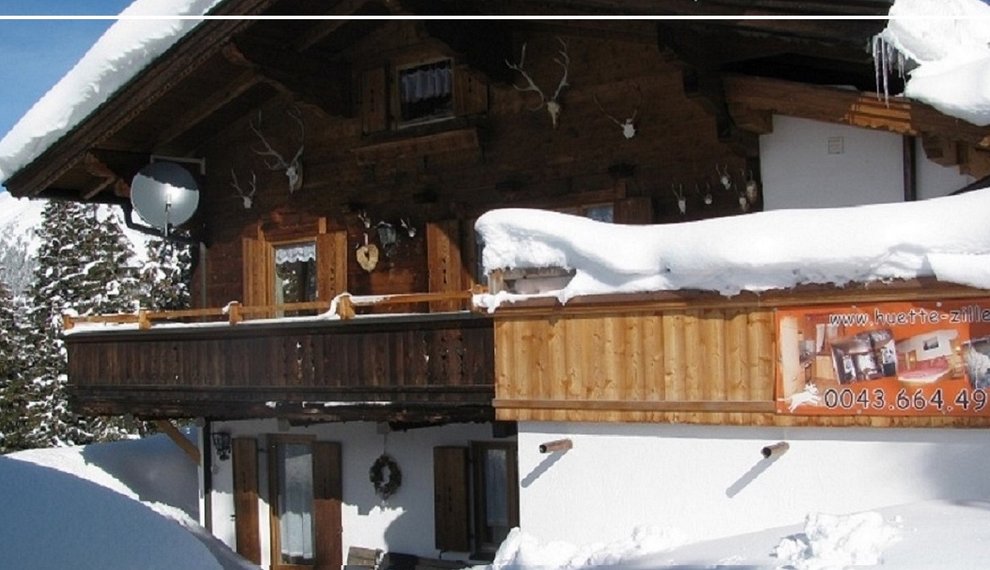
[{"x": 712, "y": 481}]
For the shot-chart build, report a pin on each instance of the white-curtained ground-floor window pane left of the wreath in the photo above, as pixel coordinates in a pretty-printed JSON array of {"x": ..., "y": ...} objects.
[{"x": 295, "y": 502}]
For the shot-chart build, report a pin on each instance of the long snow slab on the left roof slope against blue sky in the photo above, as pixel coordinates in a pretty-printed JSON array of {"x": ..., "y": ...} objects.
[{"x": 140, "y": 35}]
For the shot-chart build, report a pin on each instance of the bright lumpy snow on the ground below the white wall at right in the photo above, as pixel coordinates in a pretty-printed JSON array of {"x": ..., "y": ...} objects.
[{"x": 921, "y": 536}]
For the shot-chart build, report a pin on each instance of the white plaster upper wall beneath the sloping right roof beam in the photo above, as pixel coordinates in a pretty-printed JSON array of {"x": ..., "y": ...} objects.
[{"x": 799, "y": 172}]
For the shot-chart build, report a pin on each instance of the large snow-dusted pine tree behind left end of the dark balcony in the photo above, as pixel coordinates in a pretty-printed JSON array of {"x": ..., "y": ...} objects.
[{"x": 84, "y": 266}]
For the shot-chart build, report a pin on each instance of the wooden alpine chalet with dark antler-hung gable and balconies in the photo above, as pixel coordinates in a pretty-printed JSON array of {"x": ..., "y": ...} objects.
[{"x": 407, "y": 129}]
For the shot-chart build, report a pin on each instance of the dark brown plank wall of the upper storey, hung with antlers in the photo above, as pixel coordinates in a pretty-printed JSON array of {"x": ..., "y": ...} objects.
[{"x": 494, "y": 152}]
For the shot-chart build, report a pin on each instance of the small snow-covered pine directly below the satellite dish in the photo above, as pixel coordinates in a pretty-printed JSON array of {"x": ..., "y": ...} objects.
[{"x": 166, "y": 275}]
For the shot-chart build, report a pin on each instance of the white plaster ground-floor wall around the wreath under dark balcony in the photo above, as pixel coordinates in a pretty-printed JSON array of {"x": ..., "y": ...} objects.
[{"x": 405, "y": 524}]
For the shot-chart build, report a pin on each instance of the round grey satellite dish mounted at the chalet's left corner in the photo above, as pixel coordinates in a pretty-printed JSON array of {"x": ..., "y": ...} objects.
[{"x": 164, "y": 194}]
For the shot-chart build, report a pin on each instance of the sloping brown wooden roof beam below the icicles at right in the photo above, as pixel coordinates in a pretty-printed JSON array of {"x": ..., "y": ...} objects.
[{"x": 834, "y": 105}]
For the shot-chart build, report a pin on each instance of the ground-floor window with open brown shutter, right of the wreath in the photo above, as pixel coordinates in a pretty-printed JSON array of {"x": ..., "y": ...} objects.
[{"x": 476, "y": 495}]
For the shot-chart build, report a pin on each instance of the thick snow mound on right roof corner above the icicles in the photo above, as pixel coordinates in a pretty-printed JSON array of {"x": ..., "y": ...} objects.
[{"x": 945, "y": 45}]
